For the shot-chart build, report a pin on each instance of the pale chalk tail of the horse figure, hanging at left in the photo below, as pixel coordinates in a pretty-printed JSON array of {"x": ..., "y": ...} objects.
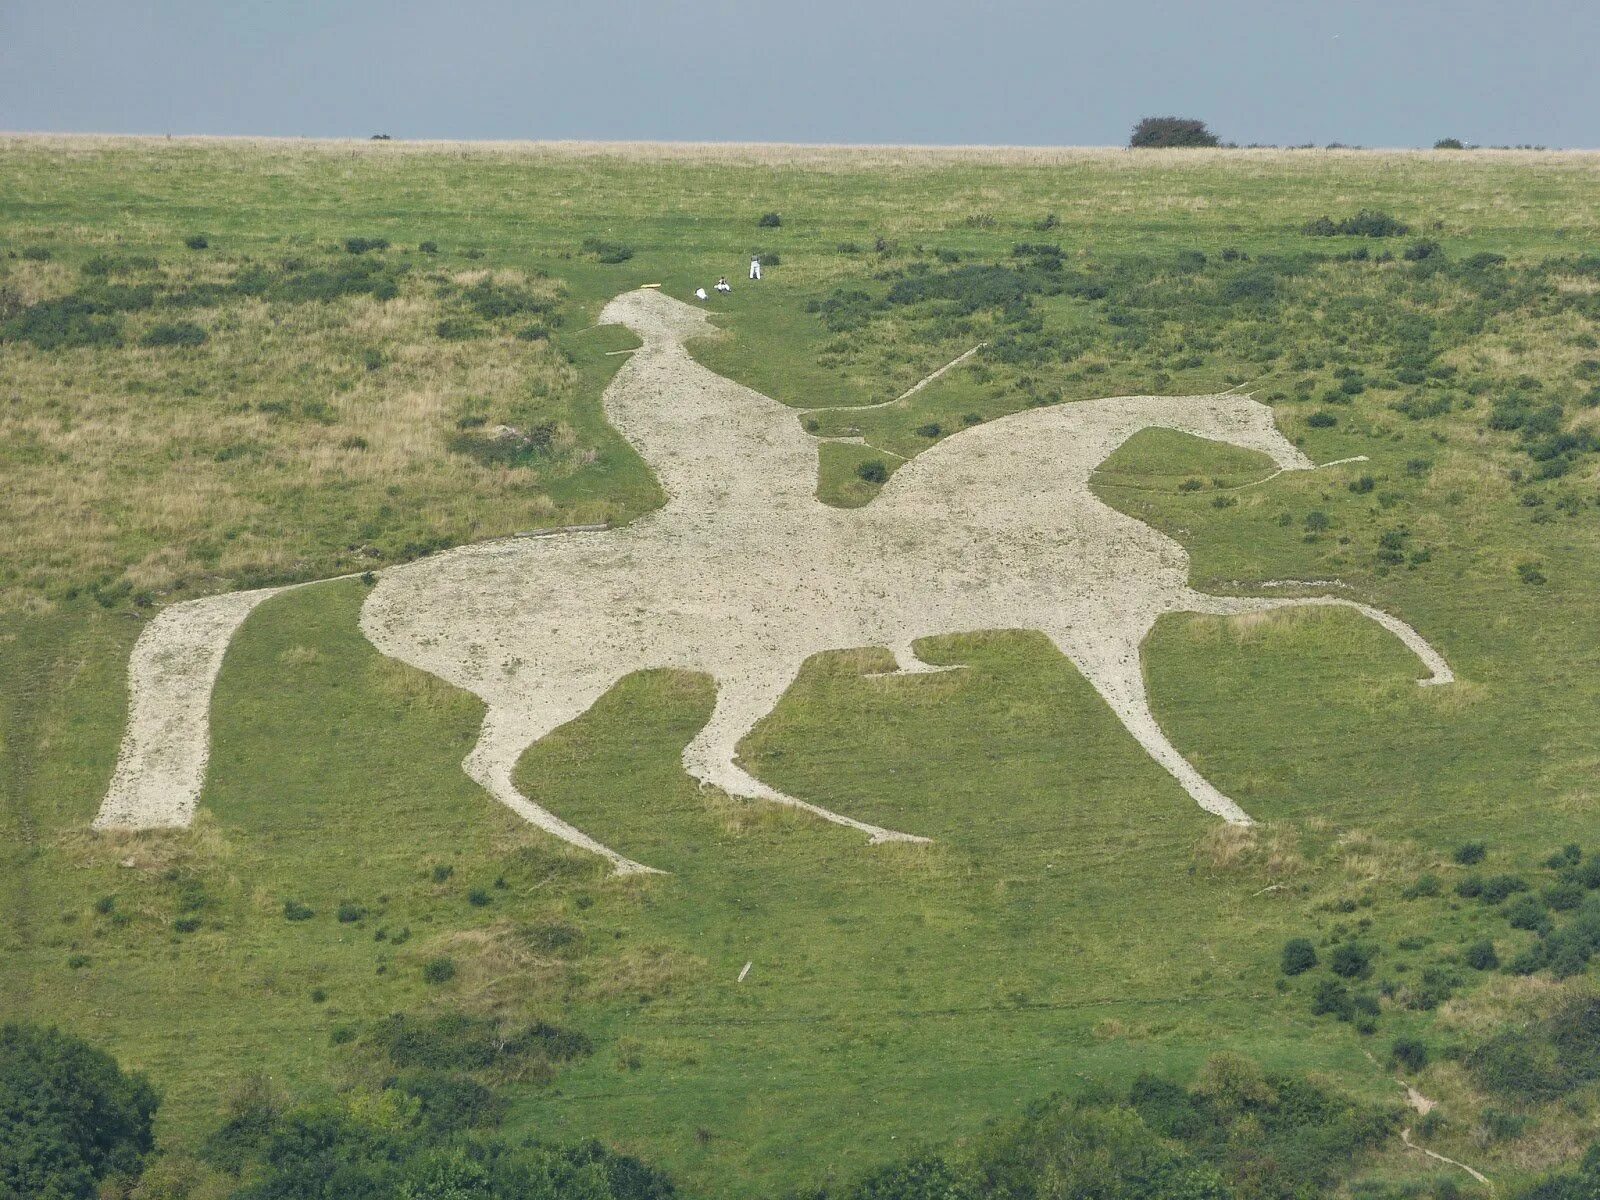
[{"x": 161, "y": 767}]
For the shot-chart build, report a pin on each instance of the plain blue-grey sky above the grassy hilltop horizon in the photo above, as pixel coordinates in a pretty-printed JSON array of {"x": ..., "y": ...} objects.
[{"x": 1394, "y": 73}]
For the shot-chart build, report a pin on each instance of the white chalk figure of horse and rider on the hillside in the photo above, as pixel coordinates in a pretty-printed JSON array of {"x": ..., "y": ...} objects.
[{"x": 745, "y": 574}]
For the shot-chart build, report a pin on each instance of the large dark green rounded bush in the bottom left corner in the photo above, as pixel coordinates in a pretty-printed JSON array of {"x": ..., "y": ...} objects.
[{"x": 70, "y": 1116}]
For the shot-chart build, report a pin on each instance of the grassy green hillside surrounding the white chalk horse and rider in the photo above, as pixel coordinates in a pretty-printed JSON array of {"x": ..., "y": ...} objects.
[{"x": 1078, "y": 919}]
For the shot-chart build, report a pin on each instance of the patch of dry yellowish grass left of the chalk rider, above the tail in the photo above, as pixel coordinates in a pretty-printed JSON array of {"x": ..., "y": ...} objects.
[{"x": 170, "y": 468}]
